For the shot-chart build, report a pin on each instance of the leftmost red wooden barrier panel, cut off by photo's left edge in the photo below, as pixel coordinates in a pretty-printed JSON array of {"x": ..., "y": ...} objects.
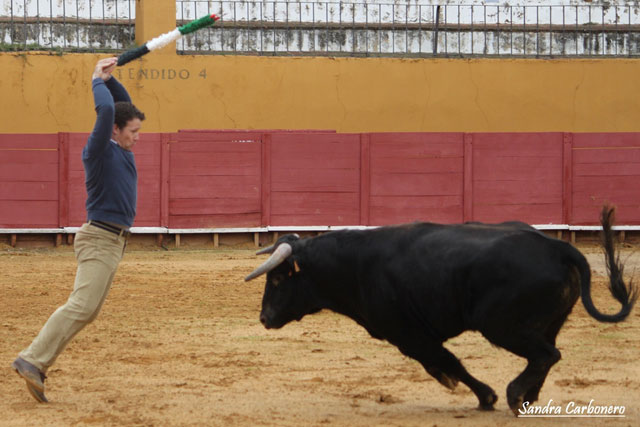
[{"x": 29, "y": 180}]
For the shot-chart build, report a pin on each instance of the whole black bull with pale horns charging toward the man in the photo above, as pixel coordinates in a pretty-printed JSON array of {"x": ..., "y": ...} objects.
[{"x": 418, "y": 285}]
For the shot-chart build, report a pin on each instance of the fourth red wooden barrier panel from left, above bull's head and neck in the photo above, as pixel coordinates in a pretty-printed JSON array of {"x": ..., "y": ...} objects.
[{"x": 315, "y": 179}]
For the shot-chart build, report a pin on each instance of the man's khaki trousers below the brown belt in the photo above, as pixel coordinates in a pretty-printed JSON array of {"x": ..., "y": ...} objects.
[{"x": 98, "y": 253}]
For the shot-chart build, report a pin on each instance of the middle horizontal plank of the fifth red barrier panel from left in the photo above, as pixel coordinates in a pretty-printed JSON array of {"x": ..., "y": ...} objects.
[{"x": 416, "y": 184}]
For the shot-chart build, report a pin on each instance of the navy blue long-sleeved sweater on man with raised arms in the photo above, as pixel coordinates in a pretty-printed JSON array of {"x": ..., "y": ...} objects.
[{"x": 110, "y": 171}]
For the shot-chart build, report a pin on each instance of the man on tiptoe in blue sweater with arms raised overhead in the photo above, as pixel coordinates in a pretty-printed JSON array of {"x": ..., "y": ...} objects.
[{"x": 111, "y": 181}]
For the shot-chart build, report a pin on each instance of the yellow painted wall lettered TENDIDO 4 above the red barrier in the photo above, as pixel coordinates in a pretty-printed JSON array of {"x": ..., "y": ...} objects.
[{"x": 43, "y": 93}]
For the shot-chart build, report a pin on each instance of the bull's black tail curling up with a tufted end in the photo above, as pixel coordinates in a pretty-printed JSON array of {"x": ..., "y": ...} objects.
[{"x": 625, "y": 294}]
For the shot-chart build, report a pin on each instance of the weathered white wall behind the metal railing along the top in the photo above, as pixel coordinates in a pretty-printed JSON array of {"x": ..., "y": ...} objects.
[{"x": 334, "y": 27}]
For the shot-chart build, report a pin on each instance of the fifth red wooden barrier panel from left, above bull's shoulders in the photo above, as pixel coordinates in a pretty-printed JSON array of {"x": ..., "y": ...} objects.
[{"x": 416, "y": 177}]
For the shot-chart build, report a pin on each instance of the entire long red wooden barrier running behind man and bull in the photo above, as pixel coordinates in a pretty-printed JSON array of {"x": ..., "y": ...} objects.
[{"x": 212, "y": 179}]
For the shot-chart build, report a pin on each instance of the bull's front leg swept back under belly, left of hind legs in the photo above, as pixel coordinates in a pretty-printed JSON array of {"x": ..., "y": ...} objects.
[{"x": 447, "y": 369}]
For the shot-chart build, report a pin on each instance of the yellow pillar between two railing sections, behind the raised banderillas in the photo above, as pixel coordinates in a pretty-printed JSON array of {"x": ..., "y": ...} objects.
[{"x": 155, "y": 17}]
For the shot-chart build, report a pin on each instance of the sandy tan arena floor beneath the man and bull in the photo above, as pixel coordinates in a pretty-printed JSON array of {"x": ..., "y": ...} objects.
[{"x": 178, "y": 342}]
